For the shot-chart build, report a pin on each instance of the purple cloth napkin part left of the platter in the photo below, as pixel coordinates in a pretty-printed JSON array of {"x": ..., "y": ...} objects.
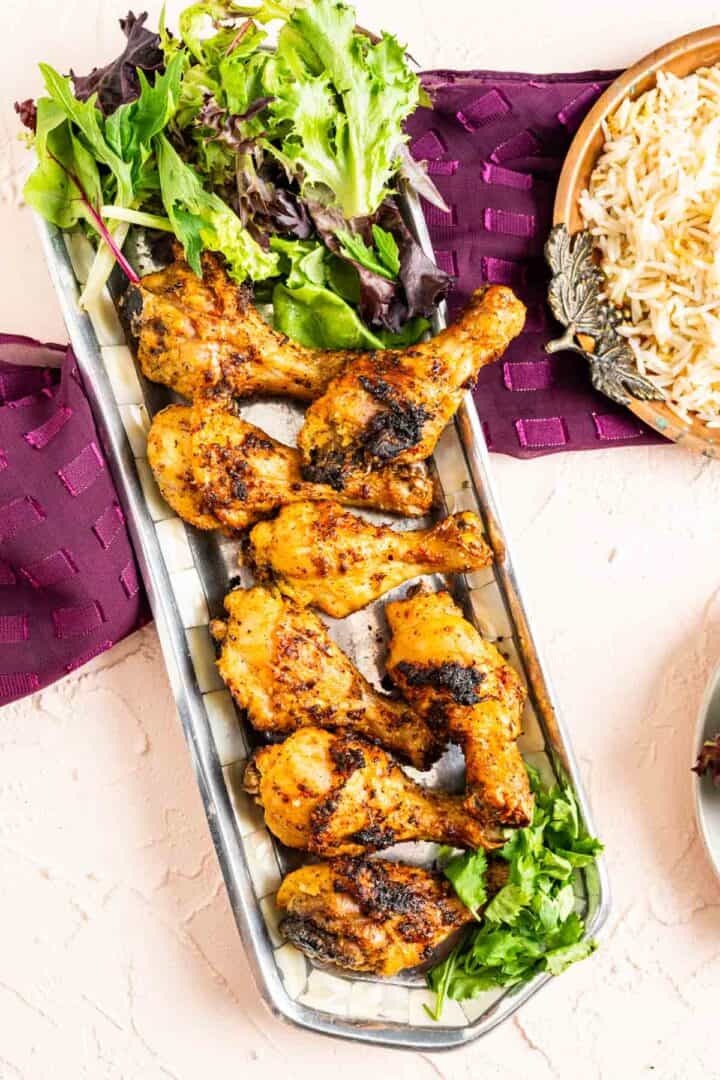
[{"x": 70, "y": 586}]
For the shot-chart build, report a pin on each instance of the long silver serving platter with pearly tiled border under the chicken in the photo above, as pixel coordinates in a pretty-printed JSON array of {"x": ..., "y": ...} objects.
[{"x": 187, "y": 575}]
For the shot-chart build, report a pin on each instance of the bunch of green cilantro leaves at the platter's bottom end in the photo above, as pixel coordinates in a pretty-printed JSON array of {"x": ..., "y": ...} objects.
[{"x": 532, "y": 925}]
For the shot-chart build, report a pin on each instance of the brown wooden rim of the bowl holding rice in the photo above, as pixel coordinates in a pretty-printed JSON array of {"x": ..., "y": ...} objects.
[{"x": 682, "y": 58}]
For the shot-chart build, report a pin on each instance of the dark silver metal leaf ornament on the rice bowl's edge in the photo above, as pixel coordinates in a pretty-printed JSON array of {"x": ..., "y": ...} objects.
[{"x": 576, "y": 300}]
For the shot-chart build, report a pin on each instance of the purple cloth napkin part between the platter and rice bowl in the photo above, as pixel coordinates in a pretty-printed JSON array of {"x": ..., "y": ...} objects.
[{"x": 495, "y": 146}]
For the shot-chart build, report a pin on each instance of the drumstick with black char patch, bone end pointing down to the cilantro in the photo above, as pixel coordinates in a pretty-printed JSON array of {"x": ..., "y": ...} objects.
[{"x": 452, "y": 677}]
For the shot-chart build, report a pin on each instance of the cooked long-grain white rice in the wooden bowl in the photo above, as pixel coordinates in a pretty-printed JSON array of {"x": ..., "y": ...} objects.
[{"x": 654, "y": 208}]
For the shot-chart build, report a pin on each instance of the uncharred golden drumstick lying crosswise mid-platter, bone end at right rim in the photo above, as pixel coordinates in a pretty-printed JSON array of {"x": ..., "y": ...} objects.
[{"x": 321, "y": 555}]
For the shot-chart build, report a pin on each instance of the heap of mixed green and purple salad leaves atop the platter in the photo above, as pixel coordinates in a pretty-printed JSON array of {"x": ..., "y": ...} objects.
[{"x": 286, "y": 160}]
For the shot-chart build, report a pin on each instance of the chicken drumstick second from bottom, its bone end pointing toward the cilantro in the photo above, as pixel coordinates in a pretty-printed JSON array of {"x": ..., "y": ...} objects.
[{"x": 335, "y": 794}]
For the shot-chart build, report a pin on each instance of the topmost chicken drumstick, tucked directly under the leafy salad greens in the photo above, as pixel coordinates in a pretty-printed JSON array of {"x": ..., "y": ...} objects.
[{"x": 196, "y": 334}]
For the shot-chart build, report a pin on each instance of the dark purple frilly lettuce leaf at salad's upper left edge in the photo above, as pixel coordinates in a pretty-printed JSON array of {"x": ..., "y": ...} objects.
[{"x": 117, "y": 84}]
